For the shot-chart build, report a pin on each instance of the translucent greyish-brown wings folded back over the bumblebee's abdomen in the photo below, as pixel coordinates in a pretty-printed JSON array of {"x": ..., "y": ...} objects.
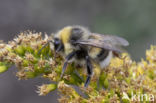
[{"x": 109, "y": 42}]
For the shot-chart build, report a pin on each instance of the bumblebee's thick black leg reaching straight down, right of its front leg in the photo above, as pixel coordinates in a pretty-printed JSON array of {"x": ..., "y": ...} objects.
[{"x": 89, "y": 71}]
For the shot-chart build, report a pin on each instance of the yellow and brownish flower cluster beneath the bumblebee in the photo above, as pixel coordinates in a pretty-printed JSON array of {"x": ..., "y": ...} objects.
[{"x": 123, "y": 80}]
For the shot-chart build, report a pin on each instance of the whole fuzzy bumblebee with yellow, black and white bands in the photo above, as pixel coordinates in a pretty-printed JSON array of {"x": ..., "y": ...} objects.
[{"x": 77, "y": 44}]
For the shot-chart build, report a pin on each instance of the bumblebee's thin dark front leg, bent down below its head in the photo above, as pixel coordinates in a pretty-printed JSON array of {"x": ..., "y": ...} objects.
[{"x": 68, "y": 57}]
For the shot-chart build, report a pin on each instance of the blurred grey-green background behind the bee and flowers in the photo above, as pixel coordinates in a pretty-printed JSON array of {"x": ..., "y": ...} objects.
[{"x": 134, "y": 20}]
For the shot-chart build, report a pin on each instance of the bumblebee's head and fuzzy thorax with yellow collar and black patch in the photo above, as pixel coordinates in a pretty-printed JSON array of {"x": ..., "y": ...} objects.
[{"x": 64, "y": 39}]
